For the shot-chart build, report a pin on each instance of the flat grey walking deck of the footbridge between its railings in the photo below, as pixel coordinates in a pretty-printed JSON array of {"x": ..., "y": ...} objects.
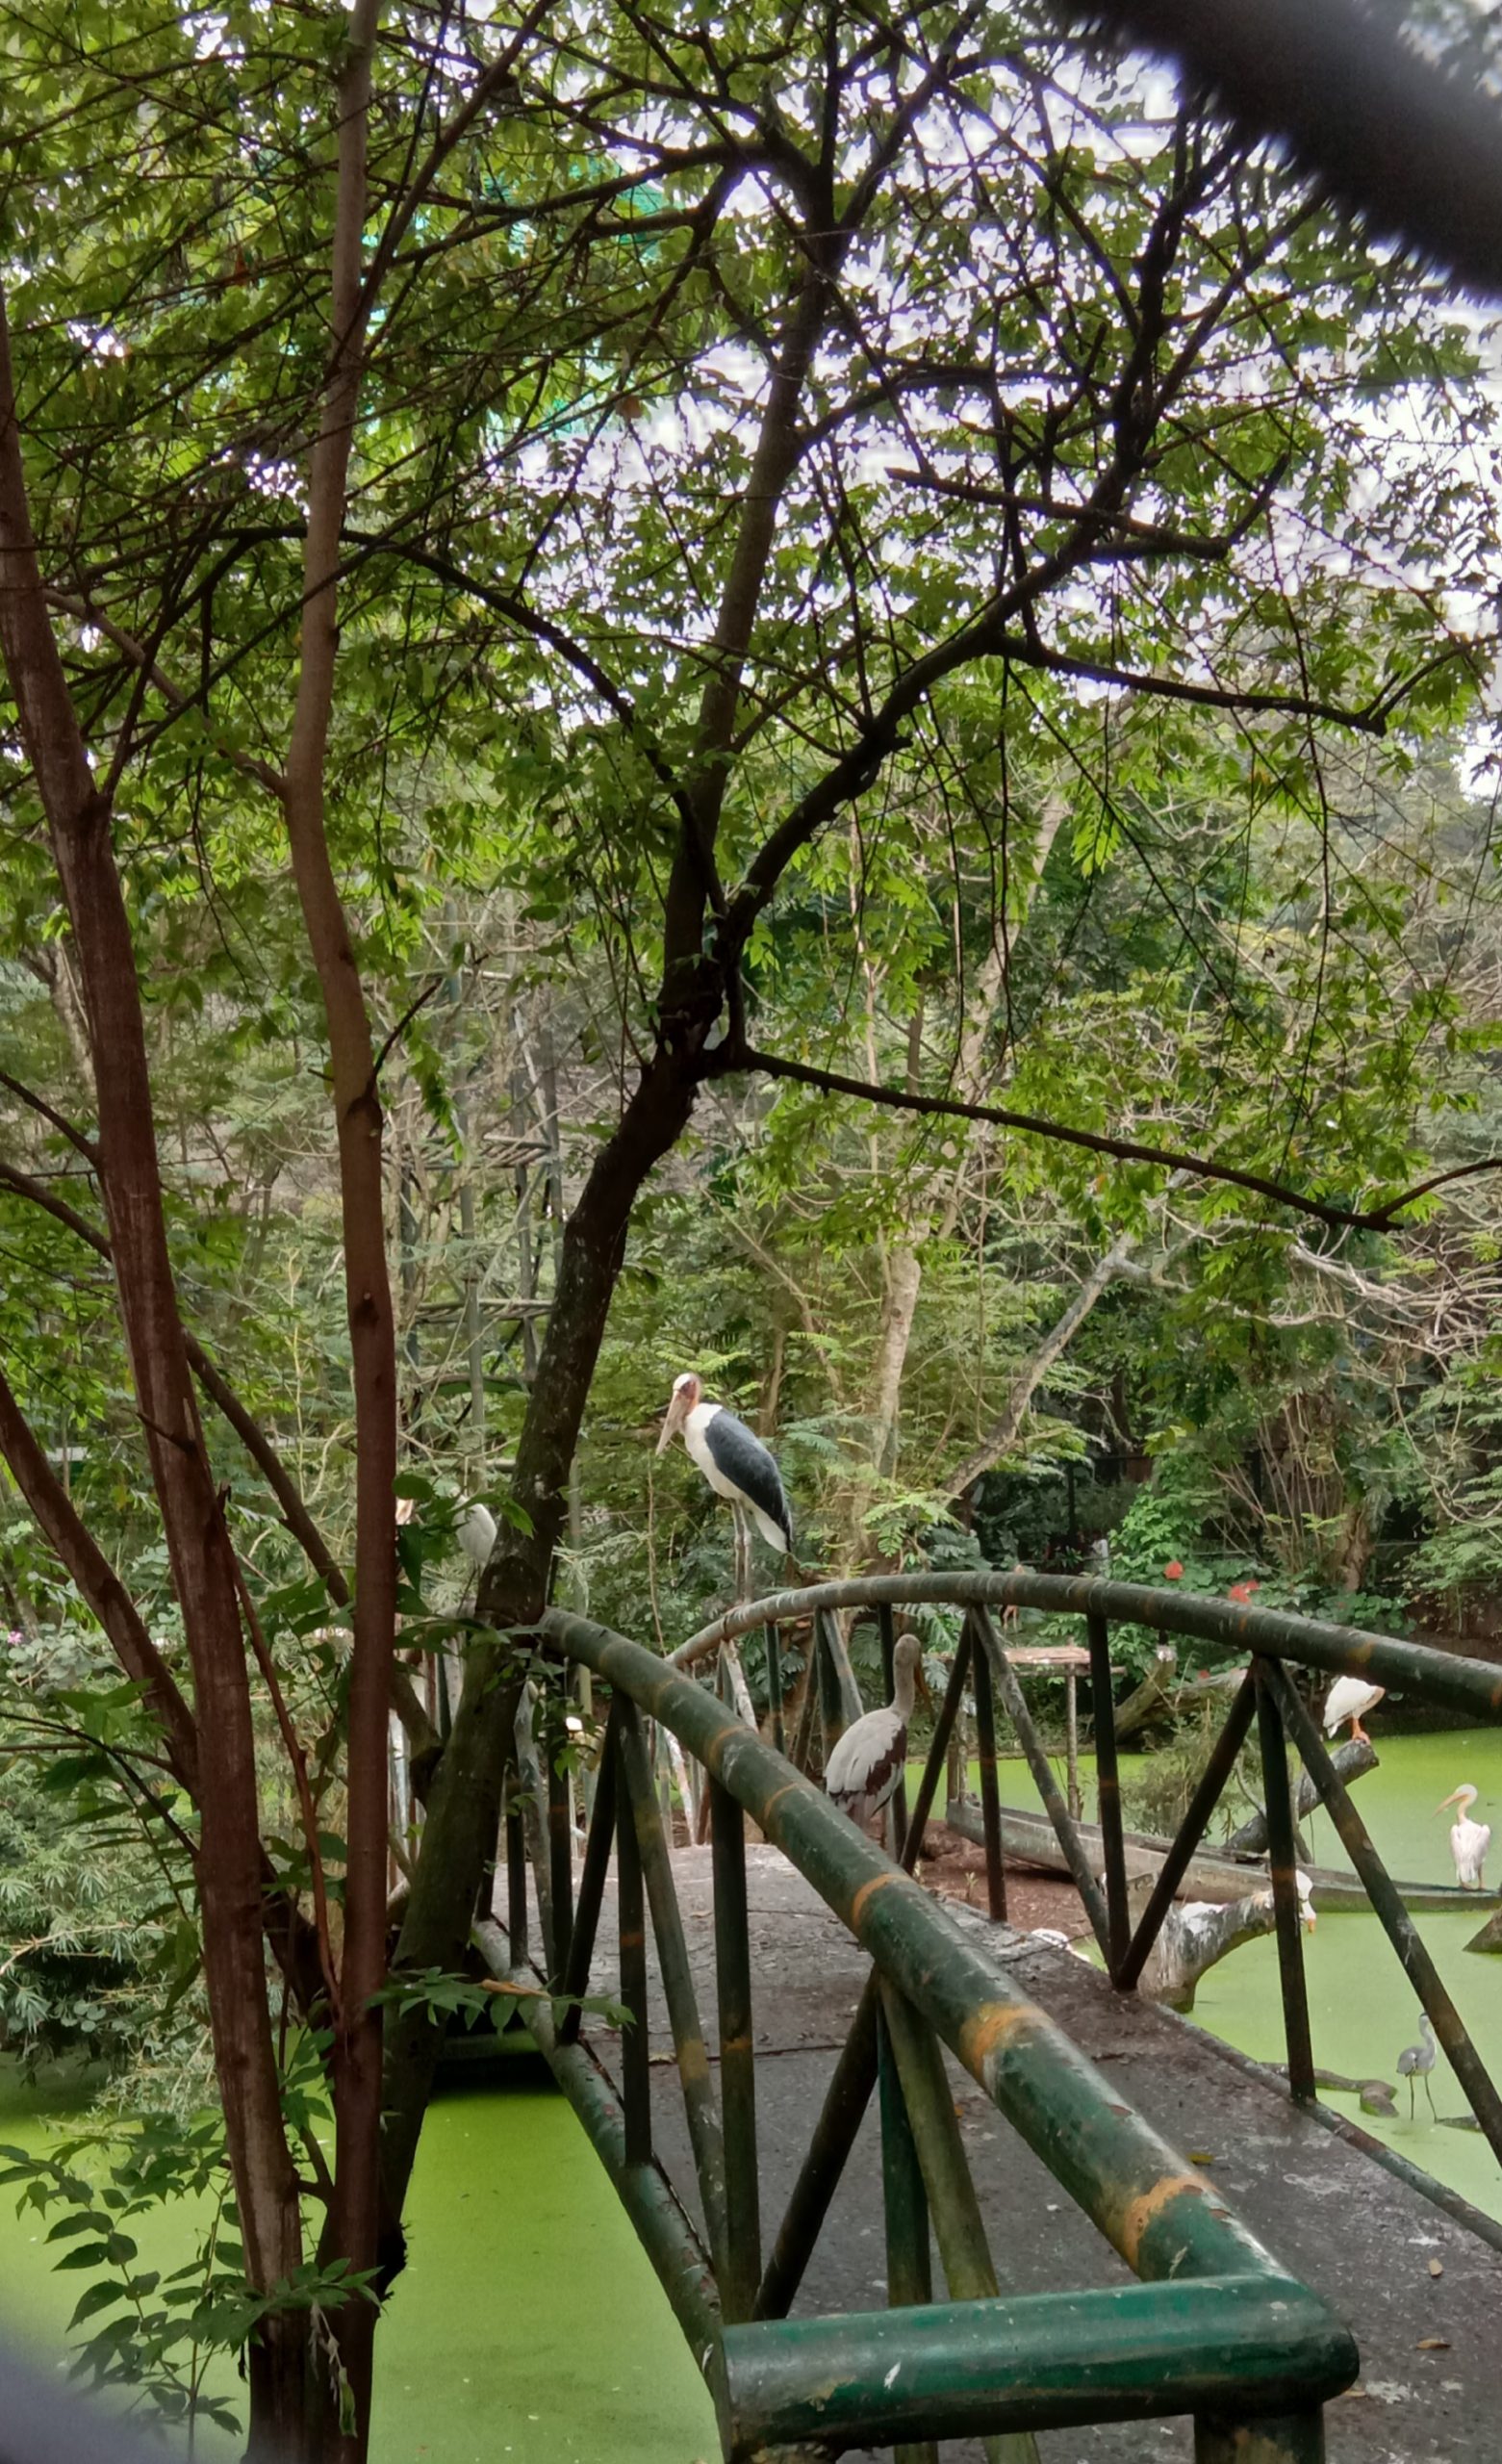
[{"x": 1432, "y": 2347}]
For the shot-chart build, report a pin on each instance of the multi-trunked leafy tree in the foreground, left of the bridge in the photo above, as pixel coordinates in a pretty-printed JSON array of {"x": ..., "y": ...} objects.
[{"x": 686, "y": 477}]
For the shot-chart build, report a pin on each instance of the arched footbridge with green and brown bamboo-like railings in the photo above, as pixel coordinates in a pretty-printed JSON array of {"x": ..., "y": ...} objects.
[{"x": 927, "y": 2081}]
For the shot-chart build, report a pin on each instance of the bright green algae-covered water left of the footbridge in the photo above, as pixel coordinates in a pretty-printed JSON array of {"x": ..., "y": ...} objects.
[{"x": 528, "y": 2325}]
